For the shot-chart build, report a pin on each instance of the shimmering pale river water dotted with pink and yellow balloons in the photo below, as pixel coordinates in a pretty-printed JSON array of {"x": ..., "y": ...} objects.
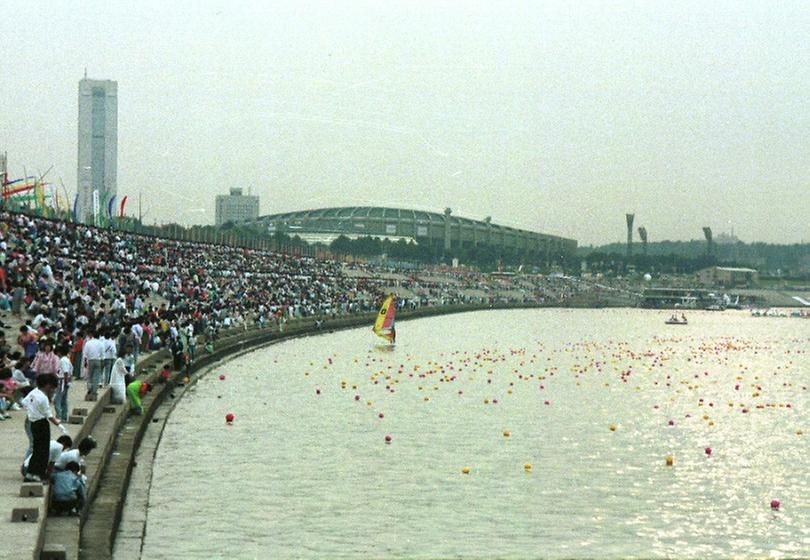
[{"x": 593, "y": 400}]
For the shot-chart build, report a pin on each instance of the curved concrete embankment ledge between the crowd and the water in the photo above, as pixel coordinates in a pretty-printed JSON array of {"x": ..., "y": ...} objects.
[{"x": 98, "y": 531}]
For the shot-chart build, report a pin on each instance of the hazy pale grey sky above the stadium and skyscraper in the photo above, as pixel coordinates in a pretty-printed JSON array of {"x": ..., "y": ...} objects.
[{"x": 554, "y": 116}]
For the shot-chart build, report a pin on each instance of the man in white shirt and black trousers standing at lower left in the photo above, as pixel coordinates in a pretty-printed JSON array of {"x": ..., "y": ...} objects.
[{"x": 38, "y": 409}]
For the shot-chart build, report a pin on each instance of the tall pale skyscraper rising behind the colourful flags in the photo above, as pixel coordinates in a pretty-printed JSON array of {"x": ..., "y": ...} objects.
[{"x": 98, "y": 149}]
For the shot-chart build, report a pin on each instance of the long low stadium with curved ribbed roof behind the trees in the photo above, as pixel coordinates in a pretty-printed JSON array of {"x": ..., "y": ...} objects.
[{"x": 445, "y": 231}]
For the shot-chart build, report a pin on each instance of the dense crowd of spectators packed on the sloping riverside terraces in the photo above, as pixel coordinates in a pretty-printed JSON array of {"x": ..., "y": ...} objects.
[{"x": 84, "y": 303}]
